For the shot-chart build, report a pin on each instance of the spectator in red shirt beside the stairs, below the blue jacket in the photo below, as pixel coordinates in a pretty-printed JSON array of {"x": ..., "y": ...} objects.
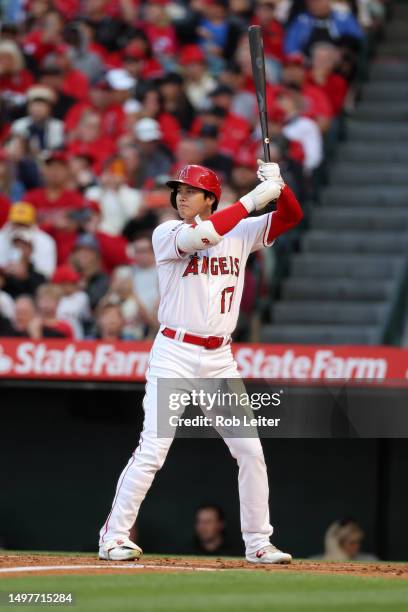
[{"x": 322, "y": 76}]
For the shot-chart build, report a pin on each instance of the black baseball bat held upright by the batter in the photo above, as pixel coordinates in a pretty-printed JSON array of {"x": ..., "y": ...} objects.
[{"x": 258, "y": 69}]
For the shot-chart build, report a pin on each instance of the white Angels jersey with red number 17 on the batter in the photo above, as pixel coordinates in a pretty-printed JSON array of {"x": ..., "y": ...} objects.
[{"x": 201, "y": 293}]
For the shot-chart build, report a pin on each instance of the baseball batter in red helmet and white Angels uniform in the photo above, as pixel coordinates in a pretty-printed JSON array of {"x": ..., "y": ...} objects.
[{"x": 201, "y": 263}]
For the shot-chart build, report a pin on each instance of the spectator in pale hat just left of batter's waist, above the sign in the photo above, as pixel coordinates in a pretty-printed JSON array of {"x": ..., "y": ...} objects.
[{"x": 137, "y": 319}]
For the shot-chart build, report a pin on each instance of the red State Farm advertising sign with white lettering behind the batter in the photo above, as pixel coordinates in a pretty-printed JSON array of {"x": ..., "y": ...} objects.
[{"x": 128, "y": 361}]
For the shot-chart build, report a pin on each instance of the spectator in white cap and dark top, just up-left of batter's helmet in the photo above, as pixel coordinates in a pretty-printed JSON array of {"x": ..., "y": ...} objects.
[{"x": 155, "y": 161}]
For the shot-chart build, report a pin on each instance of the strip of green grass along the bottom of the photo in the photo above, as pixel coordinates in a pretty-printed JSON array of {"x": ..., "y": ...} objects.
[{"x": 231, "y": 591}]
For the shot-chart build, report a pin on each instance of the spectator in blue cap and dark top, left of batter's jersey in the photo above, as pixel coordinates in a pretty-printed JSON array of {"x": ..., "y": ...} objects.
[{"x": 86, "y": 259}]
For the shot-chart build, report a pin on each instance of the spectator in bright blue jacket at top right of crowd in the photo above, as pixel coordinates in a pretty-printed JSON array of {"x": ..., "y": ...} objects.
[{"x": 321, "y": 23}]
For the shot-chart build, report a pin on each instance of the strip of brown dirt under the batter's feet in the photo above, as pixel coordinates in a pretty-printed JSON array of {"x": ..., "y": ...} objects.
[{"x": 170, "y": 564}]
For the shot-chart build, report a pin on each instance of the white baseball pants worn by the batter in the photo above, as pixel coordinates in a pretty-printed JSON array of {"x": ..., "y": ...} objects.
[{"x": 173, "y": 359}]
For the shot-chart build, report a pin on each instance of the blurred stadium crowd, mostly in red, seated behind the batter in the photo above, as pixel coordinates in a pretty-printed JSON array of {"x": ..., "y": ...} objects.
[{"x": 101, "y": 101}]
